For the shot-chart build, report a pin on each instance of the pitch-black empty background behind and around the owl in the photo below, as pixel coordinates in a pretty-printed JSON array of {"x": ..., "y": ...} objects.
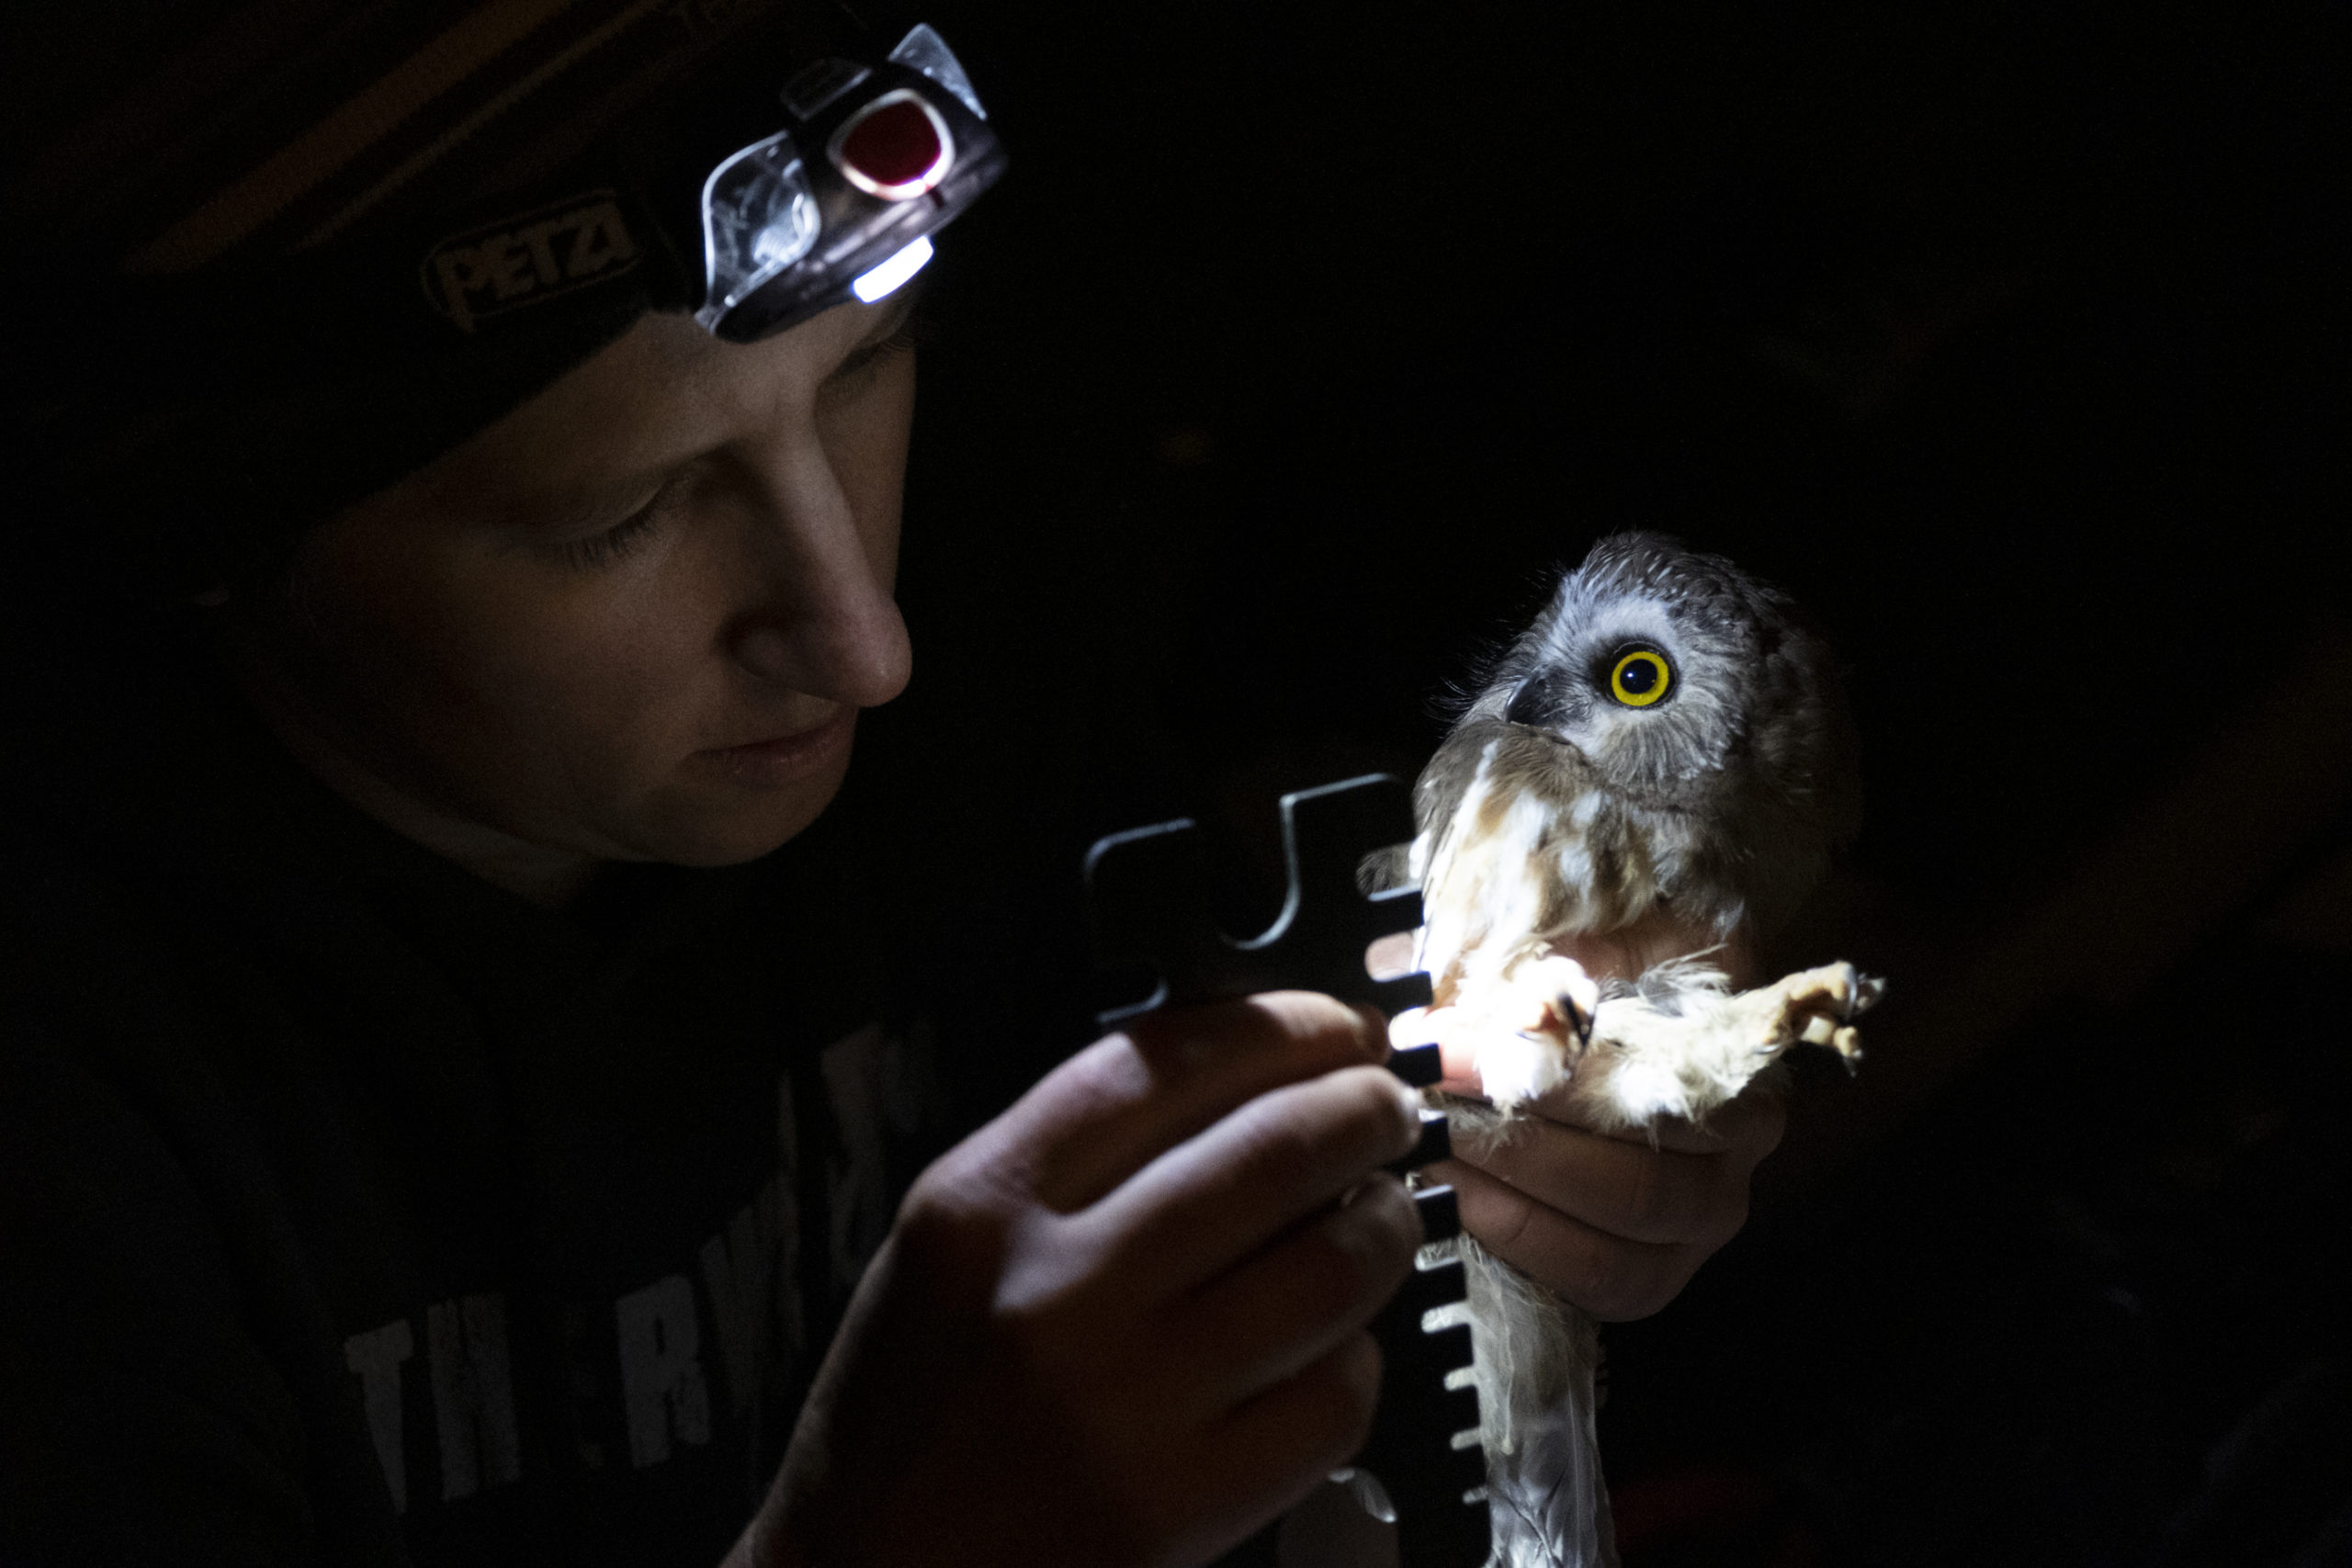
[{"x": 1307, "y": 342}]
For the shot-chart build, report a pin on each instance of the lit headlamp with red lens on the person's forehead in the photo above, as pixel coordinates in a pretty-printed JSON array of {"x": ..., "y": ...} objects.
[{"x": 843, "y": 201}]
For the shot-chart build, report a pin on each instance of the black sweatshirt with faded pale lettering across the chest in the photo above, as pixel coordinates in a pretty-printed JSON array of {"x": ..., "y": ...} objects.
[{"x": 356, "y": 1212}]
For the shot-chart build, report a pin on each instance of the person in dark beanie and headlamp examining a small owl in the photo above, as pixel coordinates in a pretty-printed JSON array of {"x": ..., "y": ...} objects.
[{"x": 455, "y": 1078}]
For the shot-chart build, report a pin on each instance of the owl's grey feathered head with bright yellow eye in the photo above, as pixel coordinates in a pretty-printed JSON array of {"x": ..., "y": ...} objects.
[{"x": 1702, "y": 711}]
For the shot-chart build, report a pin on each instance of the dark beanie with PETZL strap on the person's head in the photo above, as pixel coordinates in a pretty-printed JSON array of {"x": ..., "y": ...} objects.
[{"x": 272, "y": 257}]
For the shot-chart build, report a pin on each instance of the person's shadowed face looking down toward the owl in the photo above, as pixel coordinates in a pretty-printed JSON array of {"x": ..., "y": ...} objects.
[{"x": 634, "y": 619}]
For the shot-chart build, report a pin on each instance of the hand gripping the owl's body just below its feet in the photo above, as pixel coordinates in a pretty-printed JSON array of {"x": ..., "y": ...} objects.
[{"x": 1612, "y": 1224}]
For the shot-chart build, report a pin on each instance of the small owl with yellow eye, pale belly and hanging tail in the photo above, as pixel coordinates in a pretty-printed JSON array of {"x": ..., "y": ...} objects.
[{"x": 1662, "y": 765}]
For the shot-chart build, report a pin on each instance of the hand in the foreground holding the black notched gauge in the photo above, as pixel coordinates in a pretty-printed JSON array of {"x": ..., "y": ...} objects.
[{"x": 1123, "y": 1322}]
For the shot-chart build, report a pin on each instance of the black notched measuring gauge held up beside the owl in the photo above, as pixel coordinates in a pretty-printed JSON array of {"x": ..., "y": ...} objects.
[{"x": 1151, "y": 909}]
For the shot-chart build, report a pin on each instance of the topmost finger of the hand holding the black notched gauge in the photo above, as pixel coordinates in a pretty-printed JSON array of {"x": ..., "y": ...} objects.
[{"x": 1128, "y": 1099}]
